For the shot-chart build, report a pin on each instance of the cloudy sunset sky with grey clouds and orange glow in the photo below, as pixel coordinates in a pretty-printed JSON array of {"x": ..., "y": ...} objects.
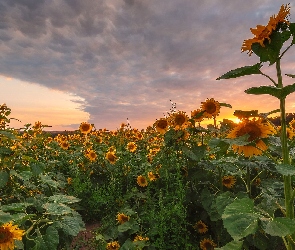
[{"x": 64, "y": 62}]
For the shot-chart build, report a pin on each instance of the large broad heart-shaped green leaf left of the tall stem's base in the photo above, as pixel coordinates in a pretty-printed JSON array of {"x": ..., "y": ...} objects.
[{"x": 240, "y": 219}]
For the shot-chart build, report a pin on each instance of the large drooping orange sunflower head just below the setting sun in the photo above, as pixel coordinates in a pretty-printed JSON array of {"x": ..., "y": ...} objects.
[{"x": 256, "y": 129}]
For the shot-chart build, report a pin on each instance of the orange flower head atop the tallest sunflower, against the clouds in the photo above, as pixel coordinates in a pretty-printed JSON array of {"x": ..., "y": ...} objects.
[{"x": 262, "y": 33}]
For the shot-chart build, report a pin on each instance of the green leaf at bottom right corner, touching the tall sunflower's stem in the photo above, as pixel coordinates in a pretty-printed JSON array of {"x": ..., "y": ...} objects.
[{"x": 280, "y": 226}]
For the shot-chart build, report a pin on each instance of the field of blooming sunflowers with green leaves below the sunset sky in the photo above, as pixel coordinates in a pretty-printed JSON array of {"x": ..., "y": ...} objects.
[{"x": 175, "y": 185}]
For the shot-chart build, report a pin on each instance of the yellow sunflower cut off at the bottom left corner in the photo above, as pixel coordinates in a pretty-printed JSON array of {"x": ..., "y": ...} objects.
[{"x": 8, "y": 234}]
